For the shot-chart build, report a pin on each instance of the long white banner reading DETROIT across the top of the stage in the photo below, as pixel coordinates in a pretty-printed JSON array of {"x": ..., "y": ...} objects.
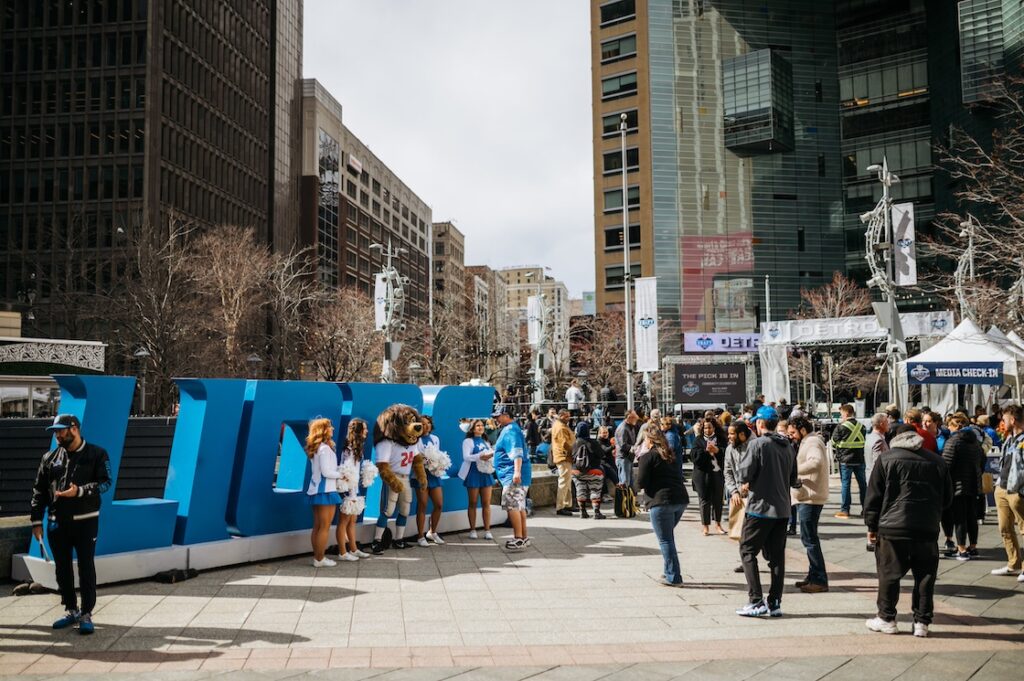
[{"x": 916, "y": 325}]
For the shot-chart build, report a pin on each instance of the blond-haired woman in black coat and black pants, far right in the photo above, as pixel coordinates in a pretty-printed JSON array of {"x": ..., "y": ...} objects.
[{"x": 963, "y": 454}]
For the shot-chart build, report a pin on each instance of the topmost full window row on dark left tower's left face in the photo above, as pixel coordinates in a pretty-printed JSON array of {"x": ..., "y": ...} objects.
[{"x": 52, "y": 53}]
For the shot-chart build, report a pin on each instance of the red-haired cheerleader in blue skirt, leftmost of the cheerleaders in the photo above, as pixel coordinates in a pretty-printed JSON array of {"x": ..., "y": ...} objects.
[{"x": 323, "y": 491}]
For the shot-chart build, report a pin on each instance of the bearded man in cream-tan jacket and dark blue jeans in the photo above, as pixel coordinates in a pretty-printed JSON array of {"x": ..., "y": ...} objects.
[{"x": 810, "y": 498}]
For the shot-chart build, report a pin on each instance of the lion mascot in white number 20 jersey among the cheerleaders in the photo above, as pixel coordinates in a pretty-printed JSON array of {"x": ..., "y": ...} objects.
[{"x": 397, "y": 453}]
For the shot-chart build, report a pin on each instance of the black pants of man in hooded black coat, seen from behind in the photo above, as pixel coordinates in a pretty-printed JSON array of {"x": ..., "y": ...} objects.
[{"x": 893, "y": 560}]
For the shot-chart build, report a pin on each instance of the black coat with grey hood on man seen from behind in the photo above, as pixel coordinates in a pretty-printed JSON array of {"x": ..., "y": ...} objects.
[{"x": 909, "y": 490}]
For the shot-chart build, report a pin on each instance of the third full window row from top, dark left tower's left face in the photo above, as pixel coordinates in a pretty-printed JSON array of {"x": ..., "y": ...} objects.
[{"x": 64, "y": 141}]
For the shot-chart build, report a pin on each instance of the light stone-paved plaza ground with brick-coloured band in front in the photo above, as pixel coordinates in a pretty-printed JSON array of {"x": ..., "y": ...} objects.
[{"x": 582, "y": 604}]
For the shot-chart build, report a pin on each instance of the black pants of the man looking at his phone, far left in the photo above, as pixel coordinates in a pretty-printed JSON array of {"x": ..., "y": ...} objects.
[{"x": 70, "y": 539}]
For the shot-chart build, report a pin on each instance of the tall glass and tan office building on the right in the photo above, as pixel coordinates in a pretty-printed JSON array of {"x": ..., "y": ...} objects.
[{"x": 751, "y": 126}]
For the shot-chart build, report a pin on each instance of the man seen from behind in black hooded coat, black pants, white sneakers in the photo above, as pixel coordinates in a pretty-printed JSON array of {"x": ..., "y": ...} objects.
[{"x": 909, "y": 490}]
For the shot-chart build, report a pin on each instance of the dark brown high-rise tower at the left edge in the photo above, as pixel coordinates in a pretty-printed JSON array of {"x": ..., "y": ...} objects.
[{"x": 115, "y": 114}]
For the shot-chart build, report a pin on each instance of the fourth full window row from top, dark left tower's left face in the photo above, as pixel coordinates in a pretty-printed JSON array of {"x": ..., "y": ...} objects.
[{"x": 58, "y": 185}]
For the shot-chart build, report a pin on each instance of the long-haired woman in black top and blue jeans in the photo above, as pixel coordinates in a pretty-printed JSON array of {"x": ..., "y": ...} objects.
[{"x": 662, "y": 481}]
